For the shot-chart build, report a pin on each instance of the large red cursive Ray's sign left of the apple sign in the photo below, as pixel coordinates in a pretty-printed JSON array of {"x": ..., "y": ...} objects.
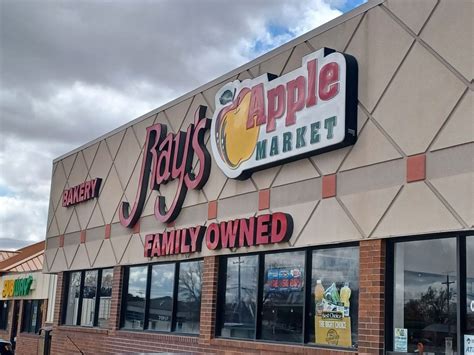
[{"x": 168, "y": 157}]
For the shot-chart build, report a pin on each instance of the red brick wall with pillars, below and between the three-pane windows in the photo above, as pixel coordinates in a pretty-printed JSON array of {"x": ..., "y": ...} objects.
[{"x": 114, "y": 340}]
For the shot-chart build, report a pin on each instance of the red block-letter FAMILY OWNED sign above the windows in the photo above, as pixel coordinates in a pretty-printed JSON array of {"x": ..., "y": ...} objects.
[{"x": 261, "y": 230}]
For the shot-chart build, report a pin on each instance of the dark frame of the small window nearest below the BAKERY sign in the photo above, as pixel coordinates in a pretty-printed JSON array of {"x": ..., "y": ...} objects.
[{"x": 77, "y": 321}]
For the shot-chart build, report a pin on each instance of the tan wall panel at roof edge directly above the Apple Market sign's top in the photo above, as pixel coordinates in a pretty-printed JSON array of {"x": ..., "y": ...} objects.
[{"x": 336, "y": 37}]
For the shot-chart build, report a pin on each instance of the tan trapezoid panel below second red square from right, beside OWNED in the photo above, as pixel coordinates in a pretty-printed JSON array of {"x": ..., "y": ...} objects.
[{"x": 329, "y": 223}]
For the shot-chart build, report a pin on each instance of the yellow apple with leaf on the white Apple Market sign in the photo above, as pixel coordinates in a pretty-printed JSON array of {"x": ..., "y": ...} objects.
[{"x": 235, "y": 142}]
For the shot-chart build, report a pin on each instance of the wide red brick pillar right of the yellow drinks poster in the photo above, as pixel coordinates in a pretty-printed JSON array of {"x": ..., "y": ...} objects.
[{"x": 371, "y": 296}]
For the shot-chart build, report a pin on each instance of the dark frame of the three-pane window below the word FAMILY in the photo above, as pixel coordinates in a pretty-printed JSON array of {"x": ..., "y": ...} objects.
[{"x": 174, "y": 308}]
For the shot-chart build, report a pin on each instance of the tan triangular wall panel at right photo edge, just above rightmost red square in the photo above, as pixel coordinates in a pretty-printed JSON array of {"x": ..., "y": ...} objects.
[{"x": 460, "y": 127}]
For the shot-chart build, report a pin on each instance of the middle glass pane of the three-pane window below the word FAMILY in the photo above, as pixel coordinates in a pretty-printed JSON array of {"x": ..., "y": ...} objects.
[{"x": 161, "y": 297}]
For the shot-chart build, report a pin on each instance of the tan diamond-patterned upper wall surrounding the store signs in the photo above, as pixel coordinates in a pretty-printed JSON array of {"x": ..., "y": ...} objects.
[{"x": 415, "y": 97}]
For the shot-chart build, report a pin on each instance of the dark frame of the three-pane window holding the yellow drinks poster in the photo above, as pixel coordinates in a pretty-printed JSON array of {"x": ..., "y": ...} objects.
[{"x": 307, "y": 316}]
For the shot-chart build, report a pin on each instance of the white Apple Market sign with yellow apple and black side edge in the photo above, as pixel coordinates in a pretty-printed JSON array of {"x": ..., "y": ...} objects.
[{"x": 267, "y": 121}]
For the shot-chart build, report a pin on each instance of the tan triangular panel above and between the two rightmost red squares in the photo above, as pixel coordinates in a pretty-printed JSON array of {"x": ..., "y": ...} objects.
[{"x": 372, "y": 147}]
